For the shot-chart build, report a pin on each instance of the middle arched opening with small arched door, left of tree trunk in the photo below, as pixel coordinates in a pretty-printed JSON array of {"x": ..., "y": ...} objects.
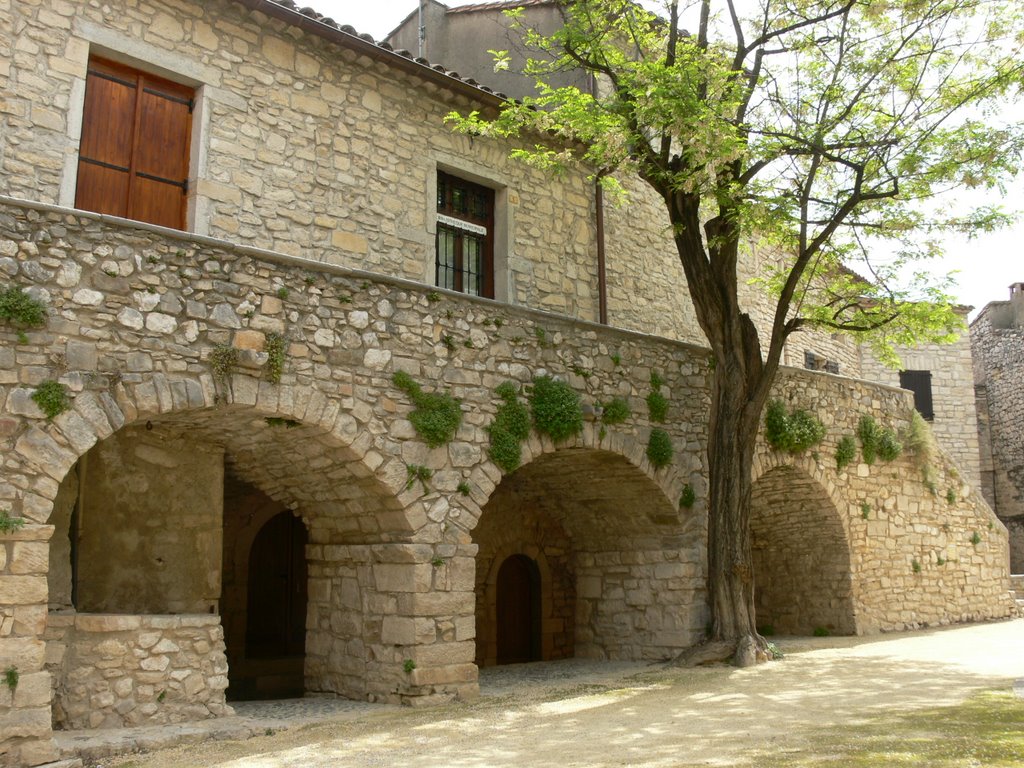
[{"x": 618, "y": 567}]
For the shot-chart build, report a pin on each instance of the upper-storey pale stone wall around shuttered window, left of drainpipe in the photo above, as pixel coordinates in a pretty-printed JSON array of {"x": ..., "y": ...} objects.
[{"x": 300, "y": 146}]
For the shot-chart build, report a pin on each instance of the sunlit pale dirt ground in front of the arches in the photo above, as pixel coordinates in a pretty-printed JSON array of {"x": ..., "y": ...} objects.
[{"x": 593, "y": 714}]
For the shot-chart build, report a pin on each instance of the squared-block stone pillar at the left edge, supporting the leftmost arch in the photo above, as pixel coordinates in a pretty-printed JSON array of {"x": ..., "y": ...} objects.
[{"x": 26, "y": 735}]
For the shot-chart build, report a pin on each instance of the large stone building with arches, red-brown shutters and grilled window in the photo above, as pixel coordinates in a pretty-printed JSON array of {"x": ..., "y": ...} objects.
[{"x": 243, "y": 221}]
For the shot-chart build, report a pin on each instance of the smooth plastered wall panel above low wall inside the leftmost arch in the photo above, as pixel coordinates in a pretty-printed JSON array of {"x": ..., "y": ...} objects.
[{"x": 149, "y": 529}]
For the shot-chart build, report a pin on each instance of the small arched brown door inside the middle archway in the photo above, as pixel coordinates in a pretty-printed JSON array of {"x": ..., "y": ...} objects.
[{"x": 519, "y": 605}]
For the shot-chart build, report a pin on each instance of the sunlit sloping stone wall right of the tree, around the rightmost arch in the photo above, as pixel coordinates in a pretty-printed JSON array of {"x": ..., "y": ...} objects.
[{"x": 924, "y": 549}]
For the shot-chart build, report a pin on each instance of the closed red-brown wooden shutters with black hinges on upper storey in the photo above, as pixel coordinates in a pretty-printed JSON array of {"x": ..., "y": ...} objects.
[{"x": 134, "y": 160}]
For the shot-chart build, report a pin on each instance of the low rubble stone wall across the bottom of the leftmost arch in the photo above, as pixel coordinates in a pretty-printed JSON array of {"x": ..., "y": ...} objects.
[{"x": 117, "y": 671}]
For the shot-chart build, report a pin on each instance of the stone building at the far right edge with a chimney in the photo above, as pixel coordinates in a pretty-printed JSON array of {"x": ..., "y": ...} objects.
[{"x": 998, "y": 345}]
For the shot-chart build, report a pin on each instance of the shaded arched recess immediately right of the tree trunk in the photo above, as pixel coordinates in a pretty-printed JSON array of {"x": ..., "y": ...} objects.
[{"x": 801, "y": 558}]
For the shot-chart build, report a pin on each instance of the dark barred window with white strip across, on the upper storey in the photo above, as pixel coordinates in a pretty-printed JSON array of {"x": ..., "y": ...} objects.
[{"x": 465, "y": 237}]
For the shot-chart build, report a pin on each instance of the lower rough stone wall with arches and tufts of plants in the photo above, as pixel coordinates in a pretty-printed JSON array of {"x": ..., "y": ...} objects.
[{"x": 393, "y": 560}]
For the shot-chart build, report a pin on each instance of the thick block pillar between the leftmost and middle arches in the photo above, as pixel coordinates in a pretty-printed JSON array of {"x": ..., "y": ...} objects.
[{"x": 393, "y": 622}]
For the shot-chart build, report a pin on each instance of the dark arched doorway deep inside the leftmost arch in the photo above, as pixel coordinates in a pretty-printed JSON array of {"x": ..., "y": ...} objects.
[{"x": 276, "y": 622}]
